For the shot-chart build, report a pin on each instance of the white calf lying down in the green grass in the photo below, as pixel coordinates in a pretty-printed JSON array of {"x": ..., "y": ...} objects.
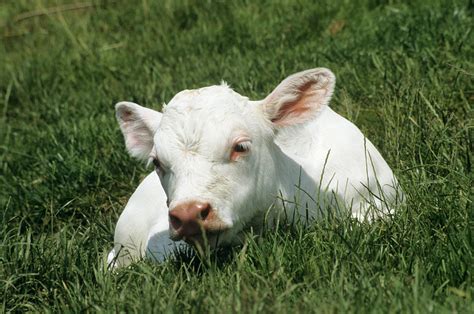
[{"x": 223, "y": 163}]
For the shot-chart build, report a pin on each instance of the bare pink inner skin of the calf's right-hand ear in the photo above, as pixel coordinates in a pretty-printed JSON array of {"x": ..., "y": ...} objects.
[{"x": 298, "y": 109}]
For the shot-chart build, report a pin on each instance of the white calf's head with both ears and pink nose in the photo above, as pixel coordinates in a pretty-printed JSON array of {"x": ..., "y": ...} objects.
[{"x": 215, "y": 153}]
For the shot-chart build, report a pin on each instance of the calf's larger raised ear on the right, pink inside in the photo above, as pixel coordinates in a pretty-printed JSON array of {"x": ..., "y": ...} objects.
[{"x": 299, "y": 97}]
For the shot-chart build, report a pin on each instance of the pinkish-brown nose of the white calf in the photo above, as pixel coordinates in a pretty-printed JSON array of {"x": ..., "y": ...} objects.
[{"x": 187, "y": 218}]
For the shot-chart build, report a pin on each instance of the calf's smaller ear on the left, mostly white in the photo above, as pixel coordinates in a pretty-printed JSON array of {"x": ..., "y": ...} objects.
[{"x": 138, "y": 125}]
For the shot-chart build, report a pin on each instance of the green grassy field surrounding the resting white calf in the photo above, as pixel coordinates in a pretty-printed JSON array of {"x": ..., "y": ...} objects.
[{"x": 405, "y": 74}]
